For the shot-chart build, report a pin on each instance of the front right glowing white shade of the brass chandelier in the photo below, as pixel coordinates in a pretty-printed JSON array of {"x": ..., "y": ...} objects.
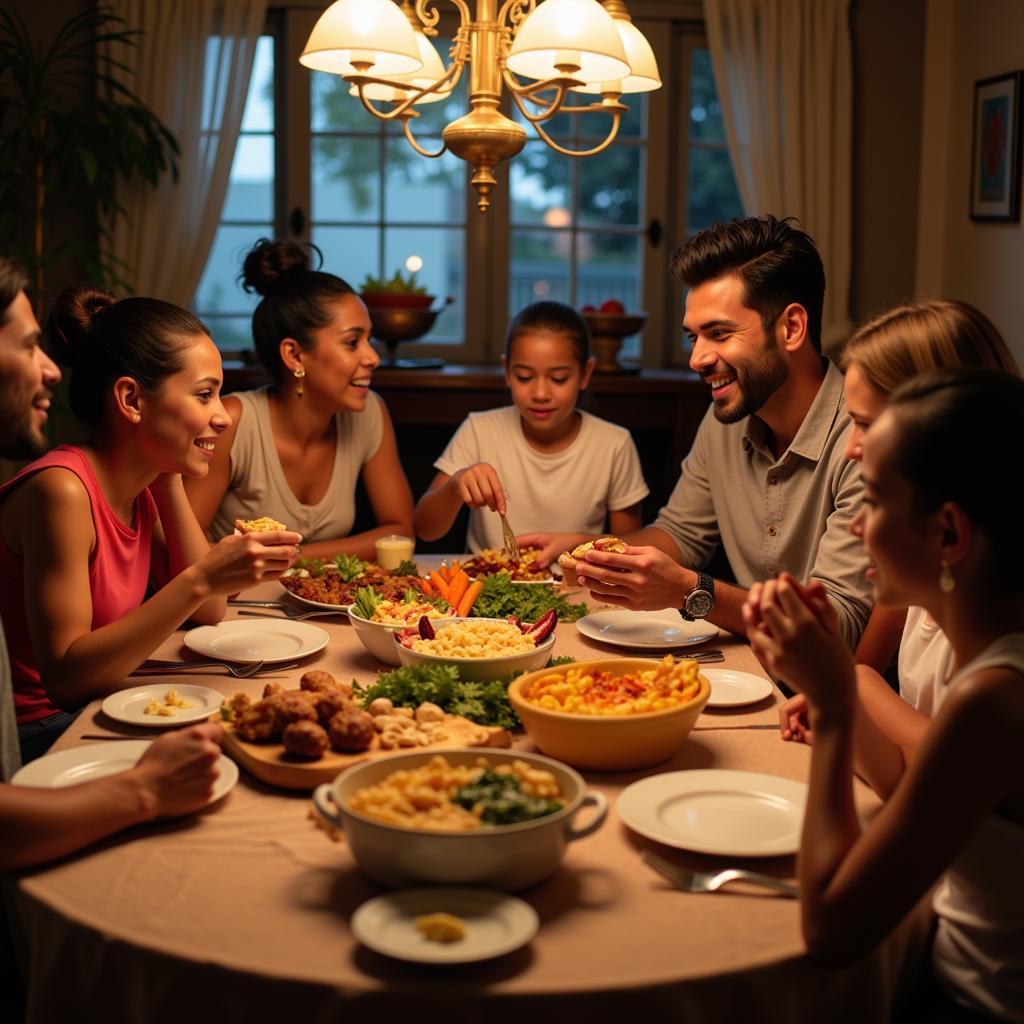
[{"x": 577, "y": 31}]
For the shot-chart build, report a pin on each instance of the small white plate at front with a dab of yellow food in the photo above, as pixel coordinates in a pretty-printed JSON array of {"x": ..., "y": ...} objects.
[{"x": 496, "y": 924}]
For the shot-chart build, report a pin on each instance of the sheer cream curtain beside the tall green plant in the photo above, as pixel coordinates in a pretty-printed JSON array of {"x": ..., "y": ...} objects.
[{"x": 192, "y": 67}]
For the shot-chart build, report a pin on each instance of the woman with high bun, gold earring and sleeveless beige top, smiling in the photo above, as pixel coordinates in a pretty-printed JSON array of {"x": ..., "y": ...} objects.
[{"x": 296, "y": 450}]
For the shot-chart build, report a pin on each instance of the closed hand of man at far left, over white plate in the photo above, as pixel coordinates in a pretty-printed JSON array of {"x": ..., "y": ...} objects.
[{"x": 179, "y": 772}]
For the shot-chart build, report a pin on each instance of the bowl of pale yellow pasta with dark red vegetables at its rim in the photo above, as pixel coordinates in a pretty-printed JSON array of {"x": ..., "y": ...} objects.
[{"x": 483, "y": 649}]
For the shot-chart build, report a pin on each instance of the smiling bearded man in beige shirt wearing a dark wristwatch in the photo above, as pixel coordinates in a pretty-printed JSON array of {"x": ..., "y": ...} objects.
[{"x": 766, "y": 478}]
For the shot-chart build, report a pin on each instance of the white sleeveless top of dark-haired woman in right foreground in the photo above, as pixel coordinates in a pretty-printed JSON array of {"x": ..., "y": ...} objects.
[{"x": 979, "y": 946}]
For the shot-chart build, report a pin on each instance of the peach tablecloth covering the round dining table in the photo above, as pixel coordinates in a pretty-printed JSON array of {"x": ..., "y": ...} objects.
[{"x": 242, "y": 912}]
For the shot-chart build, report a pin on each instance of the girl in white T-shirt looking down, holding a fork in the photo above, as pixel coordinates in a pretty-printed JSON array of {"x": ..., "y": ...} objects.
[{"x": 548, "y": 464}]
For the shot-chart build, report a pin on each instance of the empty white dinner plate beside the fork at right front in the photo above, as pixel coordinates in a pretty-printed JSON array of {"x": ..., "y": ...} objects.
[{"x": 734, "y": 814}]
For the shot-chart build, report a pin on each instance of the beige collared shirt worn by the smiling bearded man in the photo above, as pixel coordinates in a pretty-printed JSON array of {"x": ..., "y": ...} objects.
[{"x": 771, "y": 516}]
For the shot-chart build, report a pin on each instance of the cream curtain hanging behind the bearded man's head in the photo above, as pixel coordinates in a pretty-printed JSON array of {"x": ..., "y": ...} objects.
[{"x": 786, "y": 82}]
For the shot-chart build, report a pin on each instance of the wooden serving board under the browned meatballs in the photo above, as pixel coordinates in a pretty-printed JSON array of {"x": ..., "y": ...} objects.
[{"x": 270, "y": 762}]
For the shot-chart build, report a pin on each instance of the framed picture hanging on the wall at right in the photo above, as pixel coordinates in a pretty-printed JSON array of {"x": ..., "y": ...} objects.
[{"x": 996, "y": 167}]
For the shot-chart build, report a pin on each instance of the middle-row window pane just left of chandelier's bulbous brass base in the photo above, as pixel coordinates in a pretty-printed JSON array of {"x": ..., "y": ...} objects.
[{"x": 418, "y": 189}]
